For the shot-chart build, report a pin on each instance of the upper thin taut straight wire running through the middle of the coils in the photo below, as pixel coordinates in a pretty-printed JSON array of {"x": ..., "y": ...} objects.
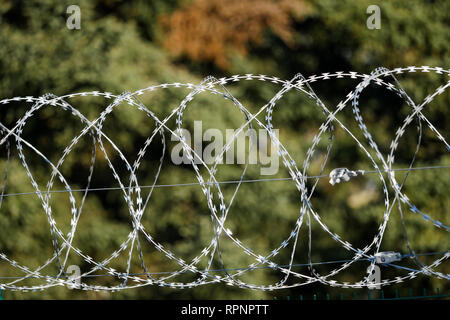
[{"x": 208, "y": 183}]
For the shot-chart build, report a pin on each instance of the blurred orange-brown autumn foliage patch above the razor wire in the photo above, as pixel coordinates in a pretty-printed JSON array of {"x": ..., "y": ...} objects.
[{"x": 209, "y": 30}]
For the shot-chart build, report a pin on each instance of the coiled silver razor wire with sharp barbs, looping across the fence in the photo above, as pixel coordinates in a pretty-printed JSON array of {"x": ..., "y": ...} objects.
[{"x": 132, "y": 193}]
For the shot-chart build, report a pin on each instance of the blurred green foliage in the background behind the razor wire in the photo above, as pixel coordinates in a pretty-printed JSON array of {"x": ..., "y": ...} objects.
[{"x": 120, "y": 48}]
